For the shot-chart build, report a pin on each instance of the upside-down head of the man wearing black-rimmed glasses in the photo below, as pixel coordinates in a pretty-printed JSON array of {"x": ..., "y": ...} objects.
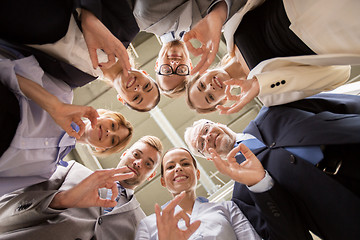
[{"x": 173, "y": 57}]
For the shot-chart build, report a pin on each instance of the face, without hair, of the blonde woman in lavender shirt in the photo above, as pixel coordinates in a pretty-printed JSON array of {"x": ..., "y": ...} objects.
[{"x": 107, "y": 133}]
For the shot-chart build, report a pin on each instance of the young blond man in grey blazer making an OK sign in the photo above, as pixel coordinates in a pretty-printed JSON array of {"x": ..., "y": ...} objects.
[{"x": 76, "y": 203}]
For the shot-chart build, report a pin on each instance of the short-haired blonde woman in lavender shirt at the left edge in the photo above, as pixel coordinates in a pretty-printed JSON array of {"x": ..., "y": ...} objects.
[{"x": 48, "y": 125}]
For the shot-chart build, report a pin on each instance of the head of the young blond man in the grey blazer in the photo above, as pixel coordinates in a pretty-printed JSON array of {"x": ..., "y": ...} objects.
[{"x": 142, "y": 158}]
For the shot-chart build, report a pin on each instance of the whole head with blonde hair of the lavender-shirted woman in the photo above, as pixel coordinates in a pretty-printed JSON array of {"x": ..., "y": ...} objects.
[{"x": 111, "y": 133}]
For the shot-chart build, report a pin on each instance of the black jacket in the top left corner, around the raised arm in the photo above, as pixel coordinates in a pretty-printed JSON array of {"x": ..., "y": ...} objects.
[{"x": 42, "y": 21}]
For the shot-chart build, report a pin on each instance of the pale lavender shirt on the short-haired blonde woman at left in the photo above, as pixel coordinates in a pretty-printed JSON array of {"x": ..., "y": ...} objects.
[{"x": 33, "y": 154}]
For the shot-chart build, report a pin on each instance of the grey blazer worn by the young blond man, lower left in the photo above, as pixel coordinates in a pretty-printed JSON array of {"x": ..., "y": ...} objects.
[{"x": 25, "y": 214}]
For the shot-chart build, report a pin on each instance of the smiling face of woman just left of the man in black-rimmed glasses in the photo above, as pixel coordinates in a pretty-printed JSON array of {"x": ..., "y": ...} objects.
[{"x": 138, "y": 90}]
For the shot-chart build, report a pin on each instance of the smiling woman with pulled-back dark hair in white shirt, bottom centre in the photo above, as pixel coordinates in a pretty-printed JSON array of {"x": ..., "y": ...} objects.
[{"x": 221, "y": 220}]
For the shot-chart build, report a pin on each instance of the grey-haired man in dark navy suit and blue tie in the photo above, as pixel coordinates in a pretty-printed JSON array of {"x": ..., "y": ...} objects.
[{"x": 309, "y": 149}]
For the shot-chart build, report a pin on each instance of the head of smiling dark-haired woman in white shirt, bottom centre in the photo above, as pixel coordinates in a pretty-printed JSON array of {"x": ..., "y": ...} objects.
[{"x": 179, "y": 171}]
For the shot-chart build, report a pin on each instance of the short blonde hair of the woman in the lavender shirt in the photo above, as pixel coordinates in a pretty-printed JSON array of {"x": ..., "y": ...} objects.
[{"x": 122, "y": 121}]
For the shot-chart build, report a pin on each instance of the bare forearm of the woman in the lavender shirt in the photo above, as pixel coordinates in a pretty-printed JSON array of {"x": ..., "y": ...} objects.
[{"x": 38, "y": 94}]
